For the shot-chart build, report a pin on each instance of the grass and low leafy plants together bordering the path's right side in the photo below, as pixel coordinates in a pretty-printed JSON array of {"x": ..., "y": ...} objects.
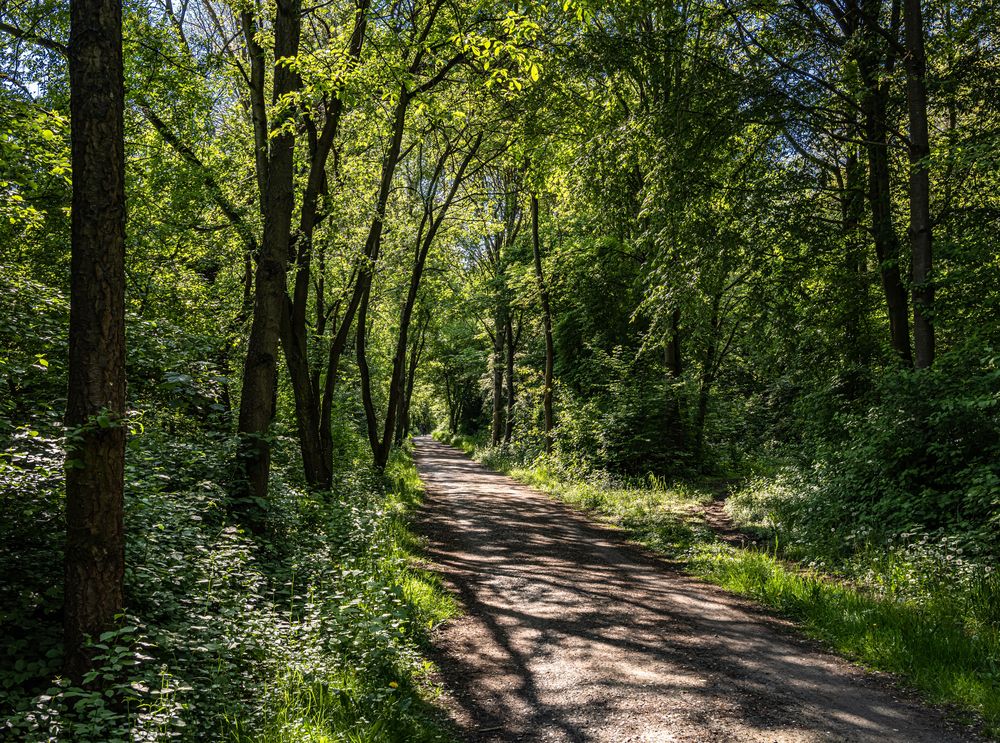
[{"x": 921, "y": 604}]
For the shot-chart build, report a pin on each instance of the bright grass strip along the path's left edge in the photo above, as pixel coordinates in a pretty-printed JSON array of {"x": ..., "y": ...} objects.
[{"x": 376, "y": 700}]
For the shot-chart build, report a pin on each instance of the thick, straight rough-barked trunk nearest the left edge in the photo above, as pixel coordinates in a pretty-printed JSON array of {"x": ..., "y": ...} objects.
[{"x": 95, "y": 402}]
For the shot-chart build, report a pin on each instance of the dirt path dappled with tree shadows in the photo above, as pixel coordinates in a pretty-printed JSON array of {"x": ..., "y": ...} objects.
[{"x": 573, "y": 635}]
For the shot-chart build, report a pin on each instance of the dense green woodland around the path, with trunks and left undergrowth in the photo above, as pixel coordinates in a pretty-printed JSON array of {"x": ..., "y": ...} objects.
[{"x": 247, "y": 249}]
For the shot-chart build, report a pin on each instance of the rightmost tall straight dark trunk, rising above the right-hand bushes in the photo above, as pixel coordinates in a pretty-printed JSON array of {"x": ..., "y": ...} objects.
[{"x": 920, "y": 213}]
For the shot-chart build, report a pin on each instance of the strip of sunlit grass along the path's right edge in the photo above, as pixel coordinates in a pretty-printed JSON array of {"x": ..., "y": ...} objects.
[{"x": 942, "y": 641}]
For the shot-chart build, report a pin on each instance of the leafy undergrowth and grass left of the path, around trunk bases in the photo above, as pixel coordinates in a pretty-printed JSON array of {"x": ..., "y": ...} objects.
[{"x": 311, "y": 633}]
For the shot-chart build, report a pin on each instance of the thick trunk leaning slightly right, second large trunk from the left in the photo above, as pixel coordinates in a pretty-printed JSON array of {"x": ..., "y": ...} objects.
[{"x": 260, "y": 371}]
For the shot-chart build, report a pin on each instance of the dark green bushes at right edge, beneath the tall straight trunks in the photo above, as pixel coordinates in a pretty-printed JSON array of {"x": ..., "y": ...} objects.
[{"x": 922, "y": 455}]
